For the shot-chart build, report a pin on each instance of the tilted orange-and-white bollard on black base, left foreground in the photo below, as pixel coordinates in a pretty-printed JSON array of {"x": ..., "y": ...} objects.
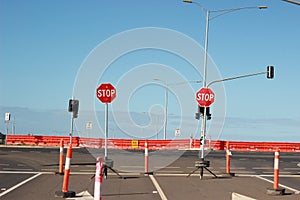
[{"x": 65, "y": 193}]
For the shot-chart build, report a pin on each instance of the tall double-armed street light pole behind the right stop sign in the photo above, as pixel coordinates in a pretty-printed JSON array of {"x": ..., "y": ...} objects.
[{"x": 208, "y": 18}]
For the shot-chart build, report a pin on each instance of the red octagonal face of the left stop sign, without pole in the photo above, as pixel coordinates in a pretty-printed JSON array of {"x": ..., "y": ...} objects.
[{"x": 106, "y": 93}]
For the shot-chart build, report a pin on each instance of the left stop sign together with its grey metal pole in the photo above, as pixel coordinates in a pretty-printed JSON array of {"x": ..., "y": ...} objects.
[{"x": 106, "y": 93}]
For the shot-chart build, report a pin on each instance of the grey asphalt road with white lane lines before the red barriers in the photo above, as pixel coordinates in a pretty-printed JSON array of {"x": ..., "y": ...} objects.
[{"x": 30, "y": 173}]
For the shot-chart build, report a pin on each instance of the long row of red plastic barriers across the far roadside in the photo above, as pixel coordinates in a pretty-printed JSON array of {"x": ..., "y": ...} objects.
[{"x": 134, "y": 144}]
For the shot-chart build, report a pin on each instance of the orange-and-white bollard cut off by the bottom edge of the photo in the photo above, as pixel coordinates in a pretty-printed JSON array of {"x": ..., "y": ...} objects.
[{"x": 98, "y": 180}]
